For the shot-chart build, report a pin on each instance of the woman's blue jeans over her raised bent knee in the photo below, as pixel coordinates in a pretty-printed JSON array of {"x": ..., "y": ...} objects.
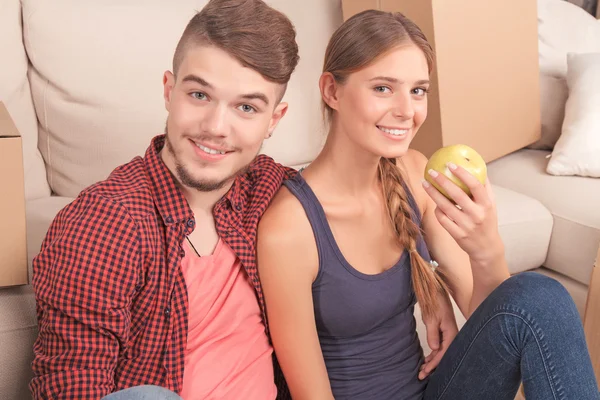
[{"x": 527, "y": 329}]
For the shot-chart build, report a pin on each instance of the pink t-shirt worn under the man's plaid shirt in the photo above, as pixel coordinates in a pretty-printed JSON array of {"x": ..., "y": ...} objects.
[{"x": 228, "y": 355}]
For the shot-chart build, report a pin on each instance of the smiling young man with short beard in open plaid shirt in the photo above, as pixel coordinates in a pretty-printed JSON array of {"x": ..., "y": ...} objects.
[{"x": 149, "y": 277}]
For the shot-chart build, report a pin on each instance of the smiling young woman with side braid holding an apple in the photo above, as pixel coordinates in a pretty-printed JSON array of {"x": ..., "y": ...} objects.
[{"x": 344, "y": 251}]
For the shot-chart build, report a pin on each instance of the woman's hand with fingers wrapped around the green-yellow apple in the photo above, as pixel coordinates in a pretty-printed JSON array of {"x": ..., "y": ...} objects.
[{"x": 471, "y": 222}]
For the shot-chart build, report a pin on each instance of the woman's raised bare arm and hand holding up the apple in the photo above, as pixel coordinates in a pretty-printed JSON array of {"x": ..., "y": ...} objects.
[{"x": 465, "y": 243}]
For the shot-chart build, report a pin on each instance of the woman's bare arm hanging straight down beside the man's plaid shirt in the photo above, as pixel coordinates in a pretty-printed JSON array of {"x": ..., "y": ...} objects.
[{"x": 288, "y": 264}]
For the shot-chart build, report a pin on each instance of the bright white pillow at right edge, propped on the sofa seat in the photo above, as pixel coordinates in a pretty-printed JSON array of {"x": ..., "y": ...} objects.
[{"x": 577, "y": 151}]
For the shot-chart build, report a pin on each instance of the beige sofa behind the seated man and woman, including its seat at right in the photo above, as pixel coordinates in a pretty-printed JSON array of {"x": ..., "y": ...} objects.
[{"x": 82, "y": 81}]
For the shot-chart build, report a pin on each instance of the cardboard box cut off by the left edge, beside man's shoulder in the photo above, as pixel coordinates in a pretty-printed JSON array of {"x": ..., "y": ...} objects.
[{"x": 13, "y": 239}]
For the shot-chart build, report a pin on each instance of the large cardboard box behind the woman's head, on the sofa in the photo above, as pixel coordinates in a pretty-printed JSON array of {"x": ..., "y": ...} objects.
[{"x": 485, "y": 83}]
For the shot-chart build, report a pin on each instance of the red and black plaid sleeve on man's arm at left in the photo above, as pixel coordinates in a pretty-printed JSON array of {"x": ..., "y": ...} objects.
[{"x": 84, "y": 281}]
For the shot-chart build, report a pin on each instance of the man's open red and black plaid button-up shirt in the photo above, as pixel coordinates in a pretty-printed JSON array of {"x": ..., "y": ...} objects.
[{"x": 111, "y": 297}]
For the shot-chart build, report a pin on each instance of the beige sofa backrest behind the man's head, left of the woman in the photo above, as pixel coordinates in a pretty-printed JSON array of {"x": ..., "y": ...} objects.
[{"x": 83, "y": 81}]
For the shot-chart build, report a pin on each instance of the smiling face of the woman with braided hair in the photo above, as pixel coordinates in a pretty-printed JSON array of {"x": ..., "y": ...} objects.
[{"x": 381, "y": 107}]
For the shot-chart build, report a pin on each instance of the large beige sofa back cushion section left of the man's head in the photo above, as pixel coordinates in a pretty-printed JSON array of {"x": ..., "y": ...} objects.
[{"x": 96, "y": 79}]
